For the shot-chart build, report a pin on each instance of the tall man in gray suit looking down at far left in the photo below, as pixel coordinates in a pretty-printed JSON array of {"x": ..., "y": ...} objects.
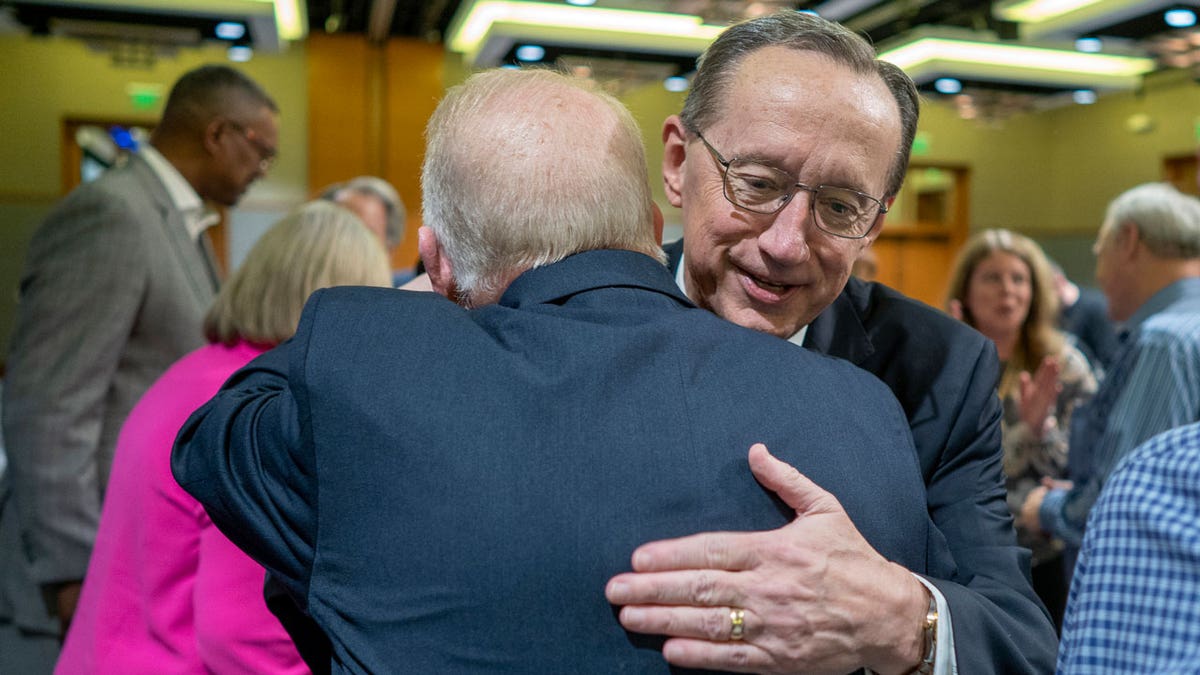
[{"x": 116, "y": 286}]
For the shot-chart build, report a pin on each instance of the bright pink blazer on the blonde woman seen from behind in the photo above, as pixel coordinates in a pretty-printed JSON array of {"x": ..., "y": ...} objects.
[{"x": 166, "y": 593}]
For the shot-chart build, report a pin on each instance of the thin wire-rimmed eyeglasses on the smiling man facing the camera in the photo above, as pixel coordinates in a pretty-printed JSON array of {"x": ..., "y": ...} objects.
[{"x": 761, "y": 189}]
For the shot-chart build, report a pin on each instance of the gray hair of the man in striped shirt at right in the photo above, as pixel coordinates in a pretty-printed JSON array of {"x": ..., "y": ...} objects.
[{"x": 1167, "y": 220}]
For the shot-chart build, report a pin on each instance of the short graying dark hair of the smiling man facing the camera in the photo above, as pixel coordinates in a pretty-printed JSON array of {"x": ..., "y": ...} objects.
[{"x": 807, "y": 33}]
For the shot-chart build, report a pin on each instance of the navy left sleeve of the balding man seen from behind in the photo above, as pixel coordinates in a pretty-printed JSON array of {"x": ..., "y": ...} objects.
[{"x": 248, "y": 457}]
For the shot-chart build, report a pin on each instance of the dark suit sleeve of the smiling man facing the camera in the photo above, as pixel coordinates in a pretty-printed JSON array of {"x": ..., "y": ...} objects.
[{"x": 1000, "y": 626}]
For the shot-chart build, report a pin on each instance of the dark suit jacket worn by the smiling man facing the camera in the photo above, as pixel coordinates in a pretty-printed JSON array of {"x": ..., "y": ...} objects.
[{"x": 945, "y": 375}]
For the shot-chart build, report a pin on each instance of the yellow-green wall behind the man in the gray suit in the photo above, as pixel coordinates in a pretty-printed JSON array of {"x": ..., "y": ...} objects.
[{"x": 45, "y": 80}]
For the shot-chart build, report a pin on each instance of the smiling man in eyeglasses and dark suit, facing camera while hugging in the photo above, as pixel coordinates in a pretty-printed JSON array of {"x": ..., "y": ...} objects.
[{"x": 791, "y": 146}]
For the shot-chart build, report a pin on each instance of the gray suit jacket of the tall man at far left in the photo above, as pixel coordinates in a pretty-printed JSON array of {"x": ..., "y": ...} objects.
[{"x": 115, "y": 291}]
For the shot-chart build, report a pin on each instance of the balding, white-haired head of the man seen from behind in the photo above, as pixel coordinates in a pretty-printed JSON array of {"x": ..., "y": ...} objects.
[{"x": 524, "y": 169}]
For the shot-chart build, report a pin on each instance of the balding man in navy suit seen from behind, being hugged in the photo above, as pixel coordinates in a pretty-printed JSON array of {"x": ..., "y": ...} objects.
[{"x": 469, "y": 522}]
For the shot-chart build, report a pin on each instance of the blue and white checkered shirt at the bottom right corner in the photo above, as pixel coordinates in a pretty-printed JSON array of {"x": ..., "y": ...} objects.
[{"x": 1135, "y": 604}]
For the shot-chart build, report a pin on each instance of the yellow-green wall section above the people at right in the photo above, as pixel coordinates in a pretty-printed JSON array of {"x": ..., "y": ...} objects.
[{"x": 1053, "y": 174}]
